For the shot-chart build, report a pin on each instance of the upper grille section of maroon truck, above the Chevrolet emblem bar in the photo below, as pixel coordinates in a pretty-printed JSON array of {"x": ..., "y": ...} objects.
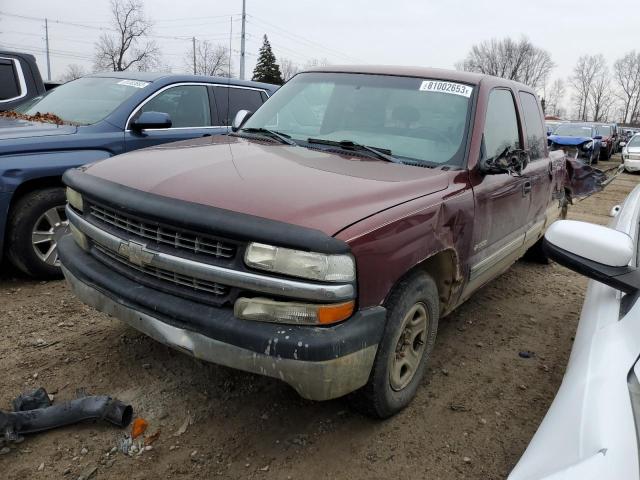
[{"x": 191, "y": 242}]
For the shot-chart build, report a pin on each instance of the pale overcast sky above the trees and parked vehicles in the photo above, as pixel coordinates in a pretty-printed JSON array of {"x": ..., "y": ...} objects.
[{"x": 426, "y": 33}]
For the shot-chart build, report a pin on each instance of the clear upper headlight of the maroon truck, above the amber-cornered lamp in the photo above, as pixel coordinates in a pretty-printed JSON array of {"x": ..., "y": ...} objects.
[{"x": 297, "y": 263}]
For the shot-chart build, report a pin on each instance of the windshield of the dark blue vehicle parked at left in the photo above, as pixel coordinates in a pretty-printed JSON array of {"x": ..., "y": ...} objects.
[{"x": 84, "y": 101}]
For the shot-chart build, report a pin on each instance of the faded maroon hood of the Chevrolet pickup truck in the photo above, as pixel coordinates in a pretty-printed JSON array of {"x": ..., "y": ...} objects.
[{"x": 310, "y": 188}]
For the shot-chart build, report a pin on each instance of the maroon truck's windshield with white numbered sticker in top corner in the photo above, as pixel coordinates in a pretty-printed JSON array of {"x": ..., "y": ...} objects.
[{"x": 420, "y": 120}]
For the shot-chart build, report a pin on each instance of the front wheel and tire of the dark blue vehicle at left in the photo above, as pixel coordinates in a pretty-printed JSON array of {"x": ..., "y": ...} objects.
[{"x": 36, "y": 222}]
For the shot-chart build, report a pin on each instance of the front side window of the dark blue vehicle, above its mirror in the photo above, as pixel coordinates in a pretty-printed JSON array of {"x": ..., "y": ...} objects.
[{"x": 187, "y": 105}]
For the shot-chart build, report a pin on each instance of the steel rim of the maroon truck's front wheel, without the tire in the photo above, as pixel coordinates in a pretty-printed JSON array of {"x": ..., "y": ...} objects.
[{"x": 410, "y": 347}]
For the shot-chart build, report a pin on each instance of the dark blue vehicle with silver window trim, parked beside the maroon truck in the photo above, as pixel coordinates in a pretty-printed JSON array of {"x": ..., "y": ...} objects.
[{"x": 97, "y": 116}]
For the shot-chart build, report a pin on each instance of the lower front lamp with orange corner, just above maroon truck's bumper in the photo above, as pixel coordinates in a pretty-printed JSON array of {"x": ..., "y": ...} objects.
[{"x": 266, "y": 310}]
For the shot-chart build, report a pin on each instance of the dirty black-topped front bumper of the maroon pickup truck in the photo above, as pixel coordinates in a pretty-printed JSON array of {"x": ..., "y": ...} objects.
[{"x": 320, "y": 363}]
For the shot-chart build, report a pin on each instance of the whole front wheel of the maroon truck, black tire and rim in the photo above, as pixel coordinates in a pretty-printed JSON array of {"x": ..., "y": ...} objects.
[{"x": 388, "y": 390}]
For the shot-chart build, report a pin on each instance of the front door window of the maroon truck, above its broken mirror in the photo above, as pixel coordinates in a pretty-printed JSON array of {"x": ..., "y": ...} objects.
[{"x": 501, "y": 125}]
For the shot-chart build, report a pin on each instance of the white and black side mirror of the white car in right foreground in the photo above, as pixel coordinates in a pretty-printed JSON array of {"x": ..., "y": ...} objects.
[{"x": 597, "y": 252}]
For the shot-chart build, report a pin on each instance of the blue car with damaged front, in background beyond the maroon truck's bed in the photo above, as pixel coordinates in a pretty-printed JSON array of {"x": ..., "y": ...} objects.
[{"x": 578, "y": 140}]
